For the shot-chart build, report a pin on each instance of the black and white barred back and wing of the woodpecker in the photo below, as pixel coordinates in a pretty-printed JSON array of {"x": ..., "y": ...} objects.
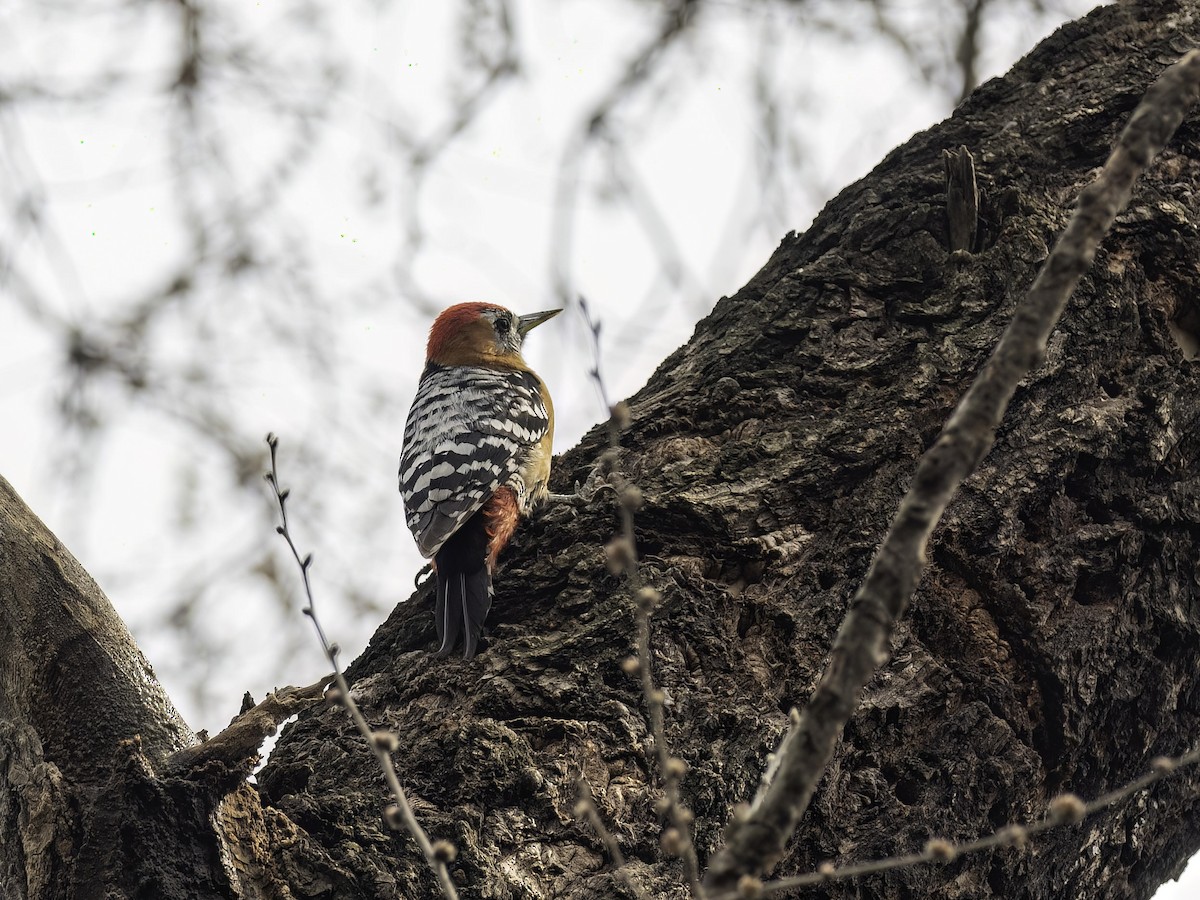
[{"x": 467, "y": 435}]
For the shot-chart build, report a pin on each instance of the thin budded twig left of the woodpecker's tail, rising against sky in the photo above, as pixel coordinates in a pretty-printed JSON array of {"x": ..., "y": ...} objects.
[{"x": 382, "y": 743}]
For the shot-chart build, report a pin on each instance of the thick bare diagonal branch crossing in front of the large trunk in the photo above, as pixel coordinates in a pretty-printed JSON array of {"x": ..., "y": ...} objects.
[{"x": 757, "y": 843}]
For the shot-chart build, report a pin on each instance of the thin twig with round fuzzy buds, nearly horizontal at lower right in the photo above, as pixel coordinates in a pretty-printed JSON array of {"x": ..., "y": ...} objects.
[{"x": 1064, "y": 811}]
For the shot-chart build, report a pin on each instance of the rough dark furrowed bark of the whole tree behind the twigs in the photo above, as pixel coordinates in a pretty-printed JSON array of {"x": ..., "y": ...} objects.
[{"x": 1052, "y": 646}]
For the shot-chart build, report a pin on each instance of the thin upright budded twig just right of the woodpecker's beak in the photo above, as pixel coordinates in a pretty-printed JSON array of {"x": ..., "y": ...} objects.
[{"x": 622, "y": 554}]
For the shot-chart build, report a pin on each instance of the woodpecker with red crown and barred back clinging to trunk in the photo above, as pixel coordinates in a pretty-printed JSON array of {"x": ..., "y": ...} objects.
[{"x": 476, "y": 457}]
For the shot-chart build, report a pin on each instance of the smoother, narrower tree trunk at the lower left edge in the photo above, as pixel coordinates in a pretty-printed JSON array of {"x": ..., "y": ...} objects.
[{"x": 85, "y": 727}]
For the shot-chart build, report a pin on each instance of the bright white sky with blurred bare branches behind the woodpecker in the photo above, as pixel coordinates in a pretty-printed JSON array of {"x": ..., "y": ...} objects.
[{"x": 223, "y": 218}]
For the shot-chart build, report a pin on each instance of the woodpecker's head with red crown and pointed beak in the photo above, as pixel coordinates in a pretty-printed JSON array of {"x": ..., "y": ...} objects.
[{"x": 473, "y": 334}]
